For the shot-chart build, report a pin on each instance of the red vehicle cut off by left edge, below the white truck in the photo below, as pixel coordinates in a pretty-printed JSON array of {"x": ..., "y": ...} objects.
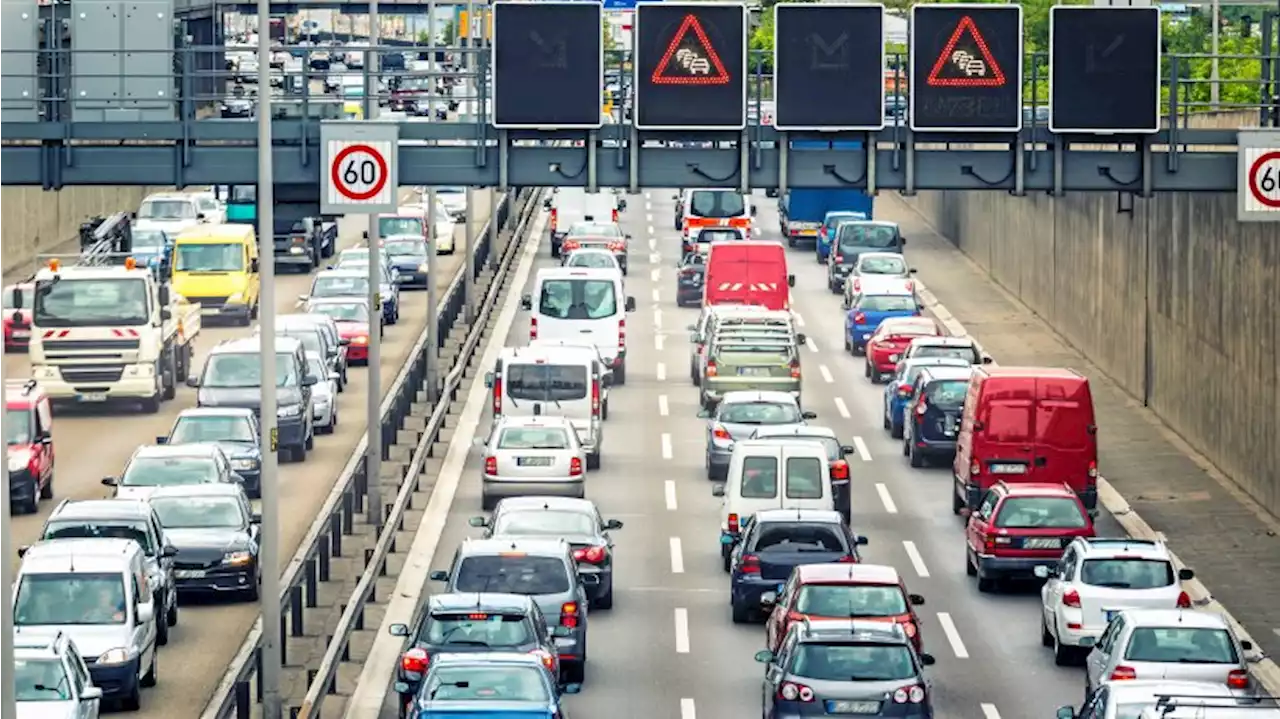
[{"x": 31, "y": 446}]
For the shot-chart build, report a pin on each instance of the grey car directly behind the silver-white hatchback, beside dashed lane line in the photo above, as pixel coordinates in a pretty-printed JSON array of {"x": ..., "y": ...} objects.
[{"x": 578, "y": 521}]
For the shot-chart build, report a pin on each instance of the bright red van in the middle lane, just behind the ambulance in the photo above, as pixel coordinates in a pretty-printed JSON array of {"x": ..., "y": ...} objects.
[{"x": 748, "y": 273}]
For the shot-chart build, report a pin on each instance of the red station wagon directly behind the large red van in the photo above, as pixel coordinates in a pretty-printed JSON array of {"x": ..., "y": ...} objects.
[{"x": 1020, "y": 528}]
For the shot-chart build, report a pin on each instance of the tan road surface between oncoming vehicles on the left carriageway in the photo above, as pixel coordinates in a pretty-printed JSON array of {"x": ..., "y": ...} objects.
[{"x": 94, "y": 445}]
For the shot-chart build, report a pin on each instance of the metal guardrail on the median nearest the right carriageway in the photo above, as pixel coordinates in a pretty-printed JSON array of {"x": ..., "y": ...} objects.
[{"x": 353, "y": 619}]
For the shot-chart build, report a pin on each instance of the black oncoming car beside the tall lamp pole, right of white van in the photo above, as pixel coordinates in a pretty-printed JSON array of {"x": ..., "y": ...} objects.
[{"x": 216, "y": 533}]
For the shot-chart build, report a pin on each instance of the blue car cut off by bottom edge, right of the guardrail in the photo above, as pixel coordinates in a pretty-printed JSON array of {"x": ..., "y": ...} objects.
[{"x": 496, "y": 685}]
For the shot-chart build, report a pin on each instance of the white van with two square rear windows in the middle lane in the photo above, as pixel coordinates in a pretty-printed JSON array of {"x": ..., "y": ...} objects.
[{"x": 753, "y": 484}]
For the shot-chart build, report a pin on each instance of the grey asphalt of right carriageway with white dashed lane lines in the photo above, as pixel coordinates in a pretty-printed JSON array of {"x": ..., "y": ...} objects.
[{"x": 669, "y": 647}]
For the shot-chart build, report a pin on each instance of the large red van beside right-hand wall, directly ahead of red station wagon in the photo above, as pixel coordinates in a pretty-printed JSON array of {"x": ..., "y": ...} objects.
[{"x": 1026, "y": 425}]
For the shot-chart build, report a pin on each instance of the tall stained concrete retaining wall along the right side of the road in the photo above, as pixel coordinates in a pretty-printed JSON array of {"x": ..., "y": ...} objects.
[{"x": 1177, "y": 303}]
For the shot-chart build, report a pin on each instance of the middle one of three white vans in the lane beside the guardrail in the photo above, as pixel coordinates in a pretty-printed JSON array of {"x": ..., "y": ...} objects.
[{"x": 583, "y": 305}]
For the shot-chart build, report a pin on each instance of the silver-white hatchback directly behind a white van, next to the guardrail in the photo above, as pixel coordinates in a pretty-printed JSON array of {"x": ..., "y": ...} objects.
[{"x": 533, "y": 456}]
